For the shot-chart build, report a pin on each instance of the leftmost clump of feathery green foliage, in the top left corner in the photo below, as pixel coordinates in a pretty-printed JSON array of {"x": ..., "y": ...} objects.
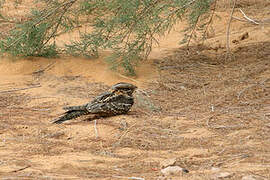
[{"x": 35, "y": 37}]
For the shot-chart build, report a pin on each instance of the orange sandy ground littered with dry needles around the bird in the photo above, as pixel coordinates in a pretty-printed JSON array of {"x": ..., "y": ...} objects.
[{"x": 192, "y": 105}]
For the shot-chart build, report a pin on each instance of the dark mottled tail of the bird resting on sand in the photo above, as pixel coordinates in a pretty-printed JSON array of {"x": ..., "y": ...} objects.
[{"x": 71, "y": 113}]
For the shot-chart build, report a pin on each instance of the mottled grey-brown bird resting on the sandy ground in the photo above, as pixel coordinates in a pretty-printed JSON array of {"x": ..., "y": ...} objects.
[{"x": 118, "y": 100}]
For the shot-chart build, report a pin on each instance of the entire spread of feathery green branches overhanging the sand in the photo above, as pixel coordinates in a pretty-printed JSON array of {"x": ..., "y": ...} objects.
[{"x": 127, "y": 28}]
